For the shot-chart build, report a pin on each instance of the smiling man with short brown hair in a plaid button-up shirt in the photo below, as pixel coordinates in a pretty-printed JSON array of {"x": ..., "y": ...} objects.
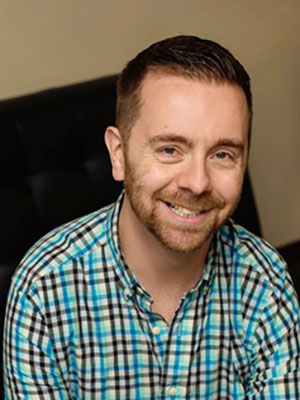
[{"x": 161, "y": 295}]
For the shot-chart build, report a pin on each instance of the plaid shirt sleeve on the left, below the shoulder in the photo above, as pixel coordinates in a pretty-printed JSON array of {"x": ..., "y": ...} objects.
[{"x": 30, "y": 368}]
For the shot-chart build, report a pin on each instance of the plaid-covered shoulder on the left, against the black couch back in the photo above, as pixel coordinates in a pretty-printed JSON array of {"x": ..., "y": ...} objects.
[{"x": 61, "y": 246}]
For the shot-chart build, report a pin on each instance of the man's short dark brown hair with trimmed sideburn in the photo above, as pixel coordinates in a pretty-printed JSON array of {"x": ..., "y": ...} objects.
[{"x": 188, "y": 56}]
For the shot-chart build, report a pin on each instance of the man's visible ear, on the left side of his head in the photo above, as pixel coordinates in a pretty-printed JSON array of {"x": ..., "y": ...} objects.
[{"x": 114, "y": 145}]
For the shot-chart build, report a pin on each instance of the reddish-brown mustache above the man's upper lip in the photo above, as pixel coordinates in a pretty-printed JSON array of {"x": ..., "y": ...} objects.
[{"x": 191, "y": 201}]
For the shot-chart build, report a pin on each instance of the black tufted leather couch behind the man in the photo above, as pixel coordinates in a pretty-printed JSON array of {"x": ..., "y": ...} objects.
[{"x": 54, "y": 167}]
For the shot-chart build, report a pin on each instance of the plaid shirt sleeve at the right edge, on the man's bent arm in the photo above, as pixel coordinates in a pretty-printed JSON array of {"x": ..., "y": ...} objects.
[{"x": 276, "y": 348}]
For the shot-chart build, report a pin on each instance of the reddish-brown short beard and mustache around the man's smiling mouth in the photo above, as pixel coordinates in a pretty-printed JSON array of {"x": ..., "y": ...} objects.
[{"x": 177, "y": 237}]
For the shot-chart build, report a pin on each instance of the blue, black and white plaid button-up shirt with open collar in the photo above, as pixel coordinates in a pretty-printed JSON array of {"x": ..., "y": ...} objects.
[{"x": 79, "y": 325}]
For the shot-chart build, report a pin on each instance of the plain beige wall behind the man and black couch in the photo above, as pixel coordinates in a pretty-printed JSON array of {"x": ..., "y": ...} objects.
[{"x": 55, "y": 42}]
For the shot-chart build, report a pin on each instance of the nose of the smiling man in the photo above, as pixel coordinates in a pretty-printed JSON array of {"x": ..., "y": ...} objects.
[{"x": 195, "y": 177}]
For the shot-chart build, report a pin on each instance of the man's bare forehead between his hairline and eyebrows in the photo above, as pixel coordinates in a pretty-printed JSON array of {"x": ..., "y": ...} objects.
[{"x": 184, "y": 105}]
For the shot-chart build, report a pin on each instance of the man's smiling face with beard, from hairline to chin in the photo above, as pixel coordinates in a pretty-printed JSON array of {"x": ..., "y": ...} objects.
[{"x": 185, "y": 159}]
